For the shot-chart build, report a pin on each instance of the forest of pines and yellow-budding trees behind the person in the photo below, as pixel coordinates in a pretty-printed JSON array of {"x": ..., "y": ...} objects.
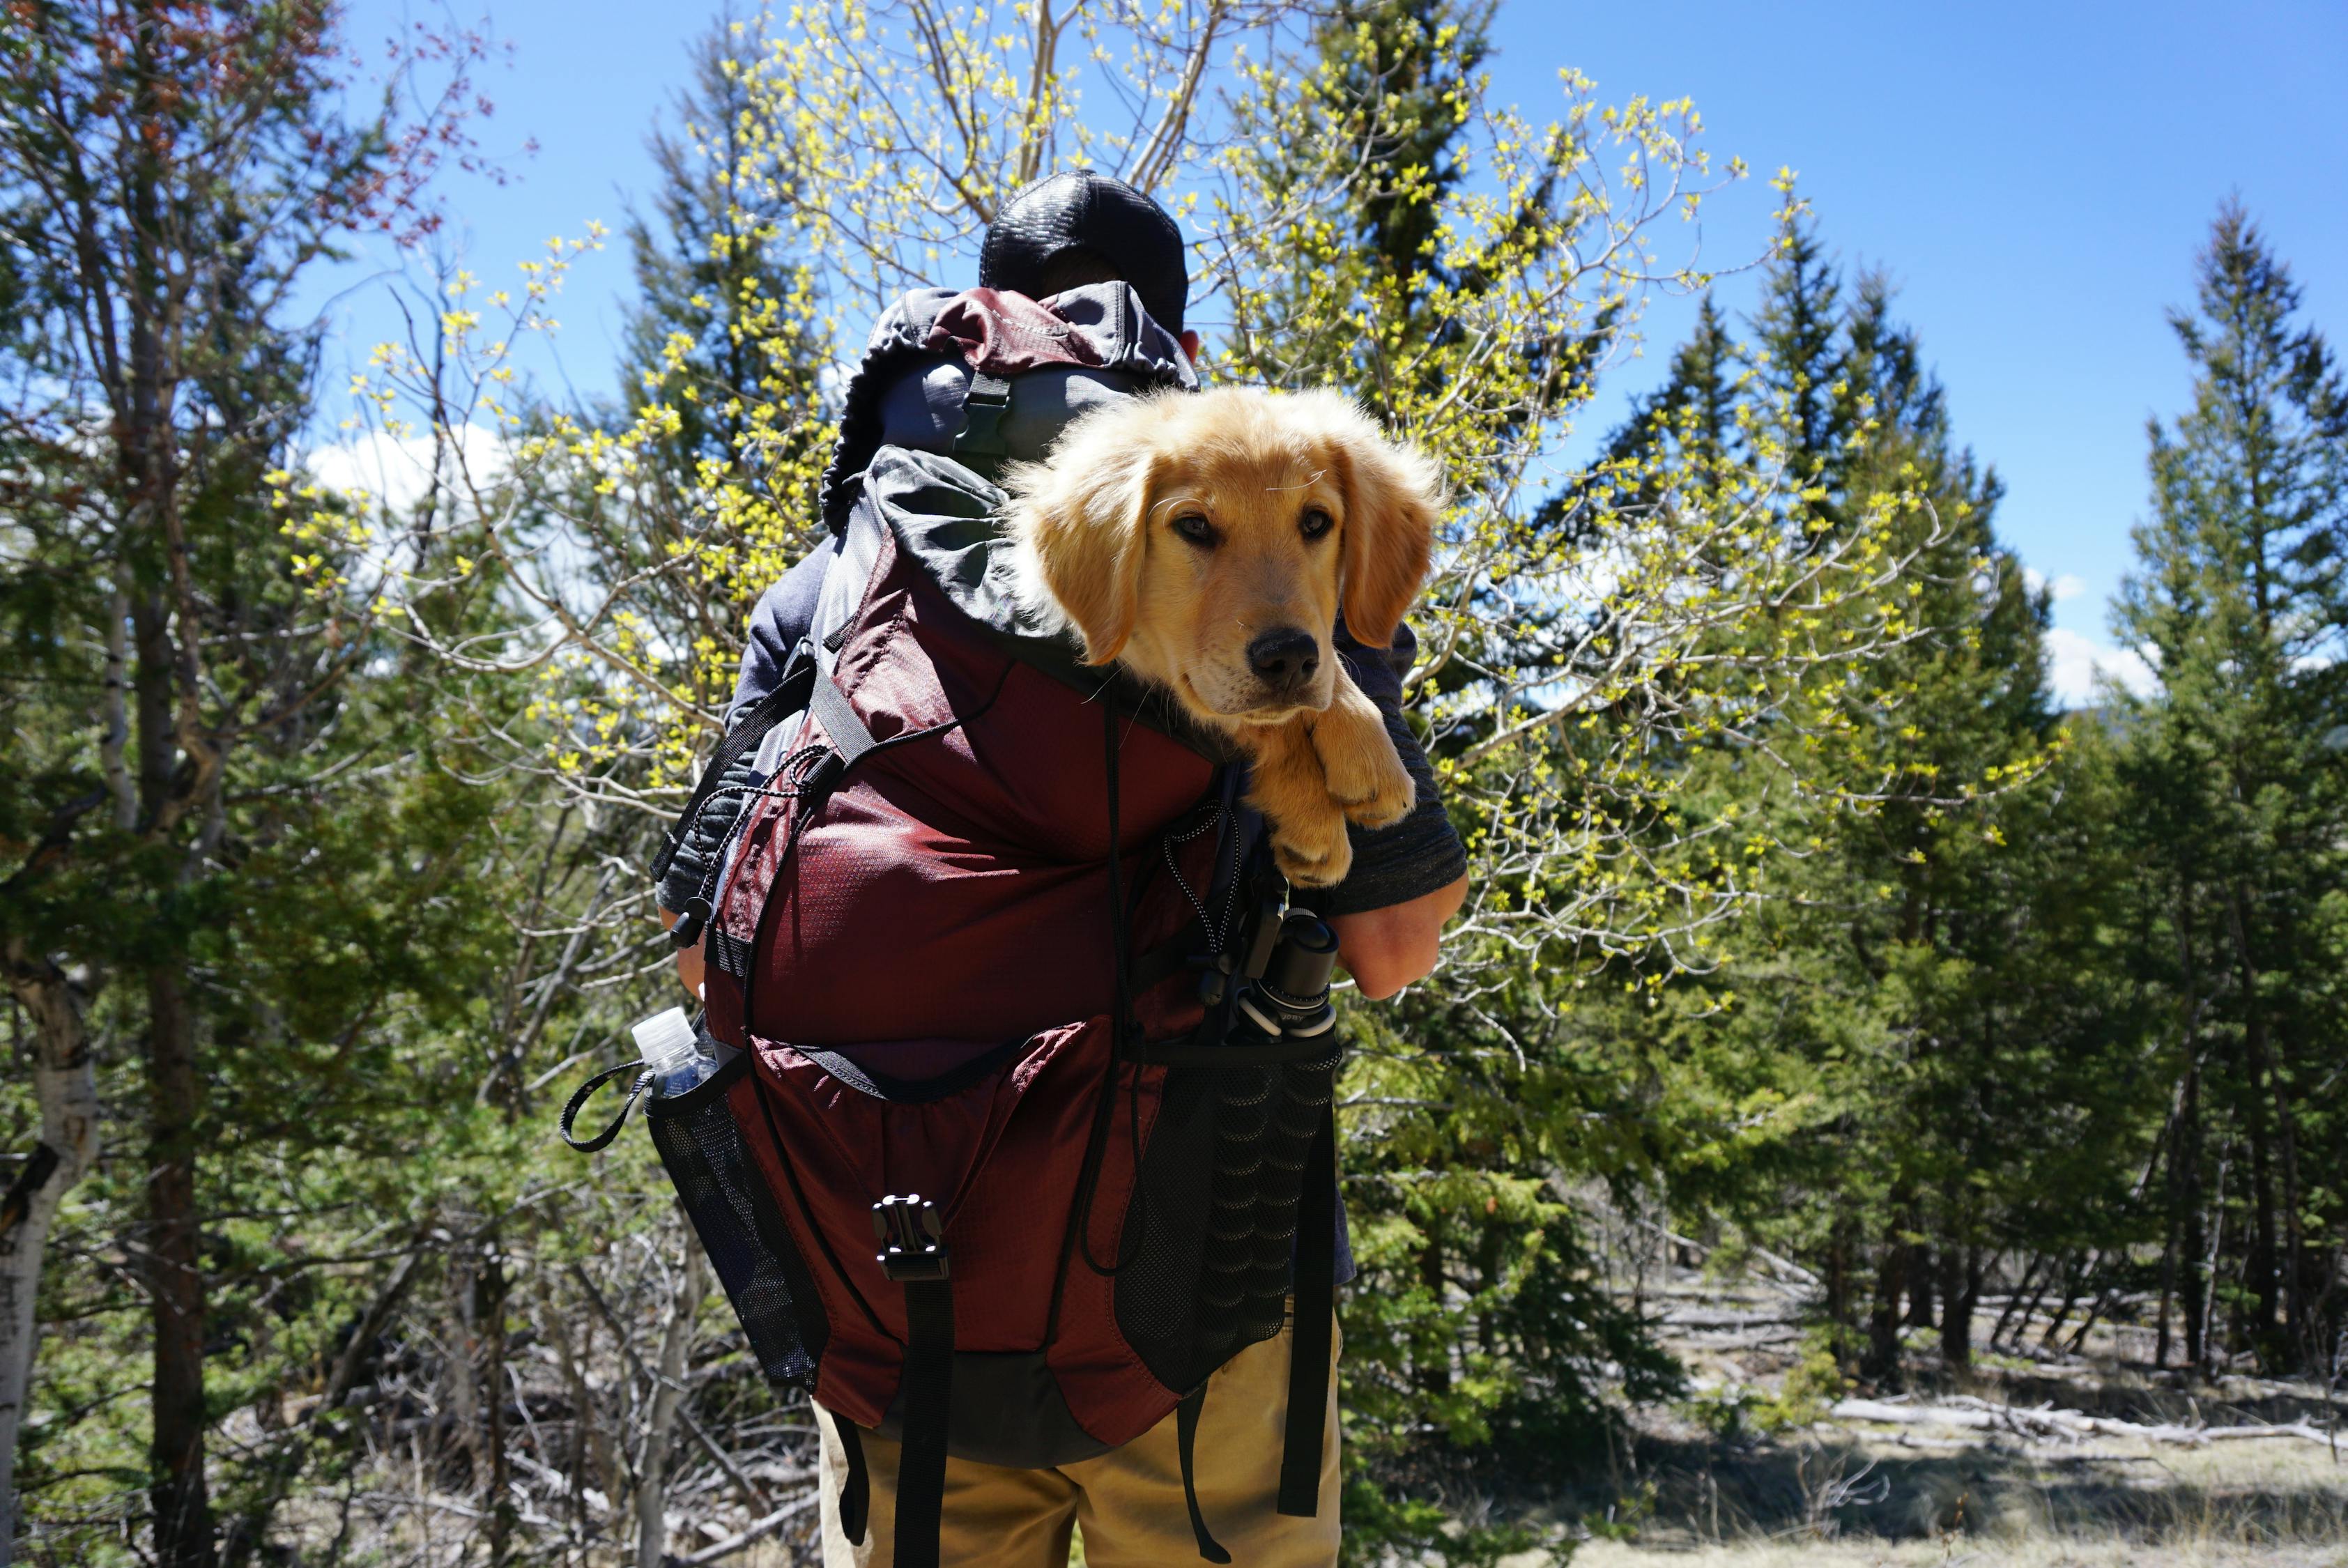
[{"x": 346, "y": 694}]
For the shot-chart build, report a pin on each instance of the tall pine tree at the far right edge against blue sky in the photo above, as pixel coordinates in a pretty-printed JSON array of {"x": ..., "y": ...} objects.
[{"x": 2239, "y": 609}]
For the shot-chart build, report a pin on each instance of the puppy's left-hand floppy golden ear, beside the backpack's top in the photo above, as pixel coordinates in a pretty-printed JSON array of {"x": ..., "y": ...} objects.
[{"x": 1084, "y": 518}]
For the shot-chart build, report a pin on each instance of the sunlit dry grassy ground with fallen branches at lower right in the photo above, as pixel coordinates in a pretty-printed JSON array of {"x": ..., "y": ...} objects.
[{"x": 1748, "y": 1478}]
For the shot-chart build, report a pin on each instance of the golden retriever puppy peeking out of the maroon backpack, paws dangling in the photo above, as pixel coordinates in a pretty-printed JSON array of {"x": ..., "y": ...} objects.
[{"x": 1206, "y": 543}]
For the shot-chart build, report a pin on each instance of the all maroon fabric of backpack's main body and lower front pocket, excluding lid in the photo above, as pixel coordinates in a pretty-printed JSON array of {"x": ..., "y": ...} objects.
[{"x": 952, "y": 898}]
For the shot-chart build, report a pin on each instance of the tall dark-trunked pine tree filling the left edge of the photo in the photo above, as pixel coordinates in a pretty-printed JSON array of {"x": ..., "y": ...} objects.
[{"x": 229, "y": 851}]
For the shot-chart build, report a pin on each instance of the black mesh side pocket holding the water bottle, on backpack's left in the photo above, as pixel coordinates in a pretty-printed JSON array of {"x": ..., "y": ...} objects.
[{"x": 734, "y": 1212}]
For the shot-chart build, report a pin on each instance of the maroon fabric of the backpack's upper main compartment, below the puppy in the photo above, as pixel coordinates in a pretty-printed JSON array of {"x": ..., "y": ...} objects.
[{"x": 954, "y": 888}]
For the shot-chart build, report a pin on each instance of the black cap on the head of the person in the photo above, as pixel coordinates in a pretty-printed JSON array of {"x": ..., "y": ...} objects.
[{"x": 1084, "y": 217}]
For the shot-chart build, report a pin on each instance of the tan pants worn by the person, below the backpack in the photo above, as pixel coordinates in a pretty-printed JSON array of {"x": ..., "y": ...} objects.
[{"x": 1128, "y": 1501}]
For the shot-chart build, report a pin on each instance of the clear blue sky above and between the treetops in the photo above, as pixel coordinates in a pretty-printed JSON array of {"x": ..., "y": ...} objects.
[{"x": 2035, "y": 177}]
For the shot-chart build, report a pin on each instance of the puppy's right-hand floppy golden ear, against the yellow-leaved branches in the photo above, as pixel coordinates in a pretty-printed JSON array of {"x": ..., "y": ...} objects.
[{"x": 1394, "y": 496}]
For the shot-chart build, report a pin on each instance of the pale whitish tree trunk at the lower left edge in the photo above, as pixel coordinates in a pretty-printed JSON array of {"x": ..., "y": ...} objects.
[{"x": 67, "y": 1090}]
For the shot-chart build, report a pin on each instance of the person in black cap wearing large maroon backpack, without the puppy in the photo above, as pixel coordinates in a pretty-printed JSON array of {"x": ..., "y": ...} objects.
[{"x": 994, "y": 959}]
